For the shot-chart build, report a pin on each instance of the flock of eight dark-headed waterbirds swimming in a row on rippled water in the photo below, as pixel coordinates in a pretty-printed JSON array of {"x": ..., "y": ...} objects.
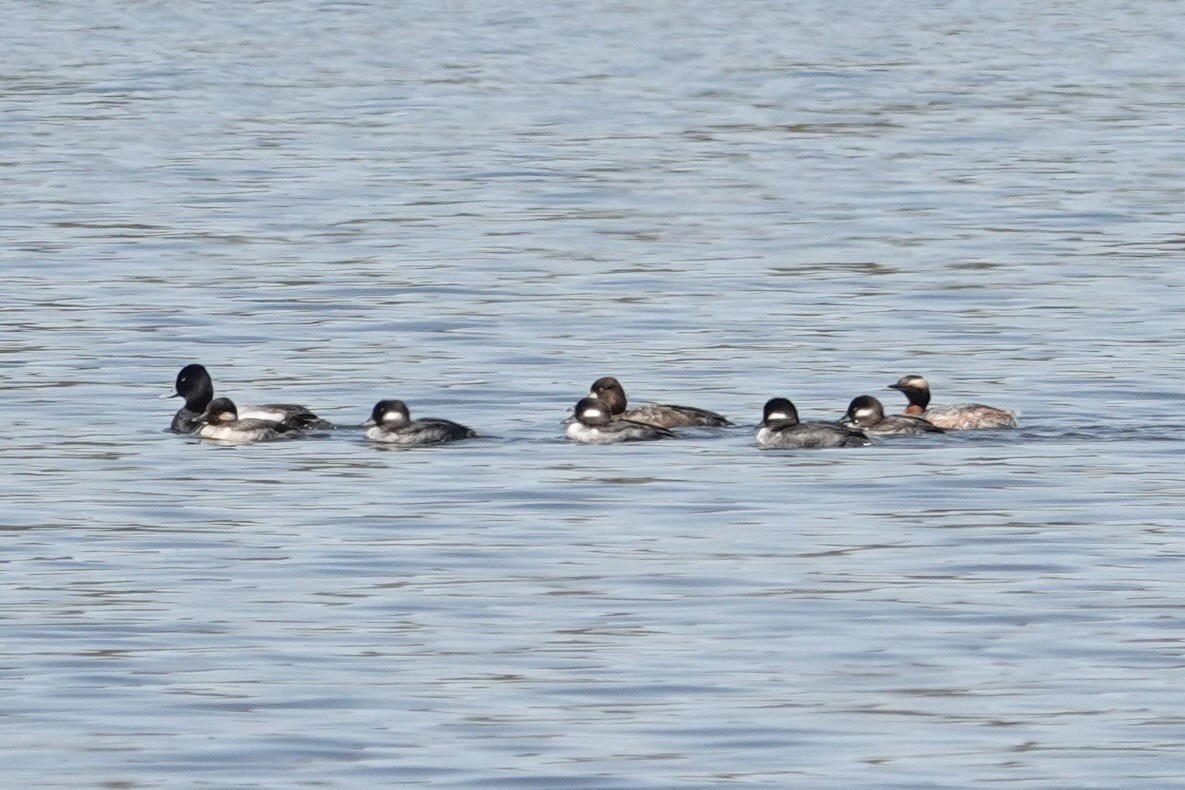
[{"x": 604, "y": 418}]
